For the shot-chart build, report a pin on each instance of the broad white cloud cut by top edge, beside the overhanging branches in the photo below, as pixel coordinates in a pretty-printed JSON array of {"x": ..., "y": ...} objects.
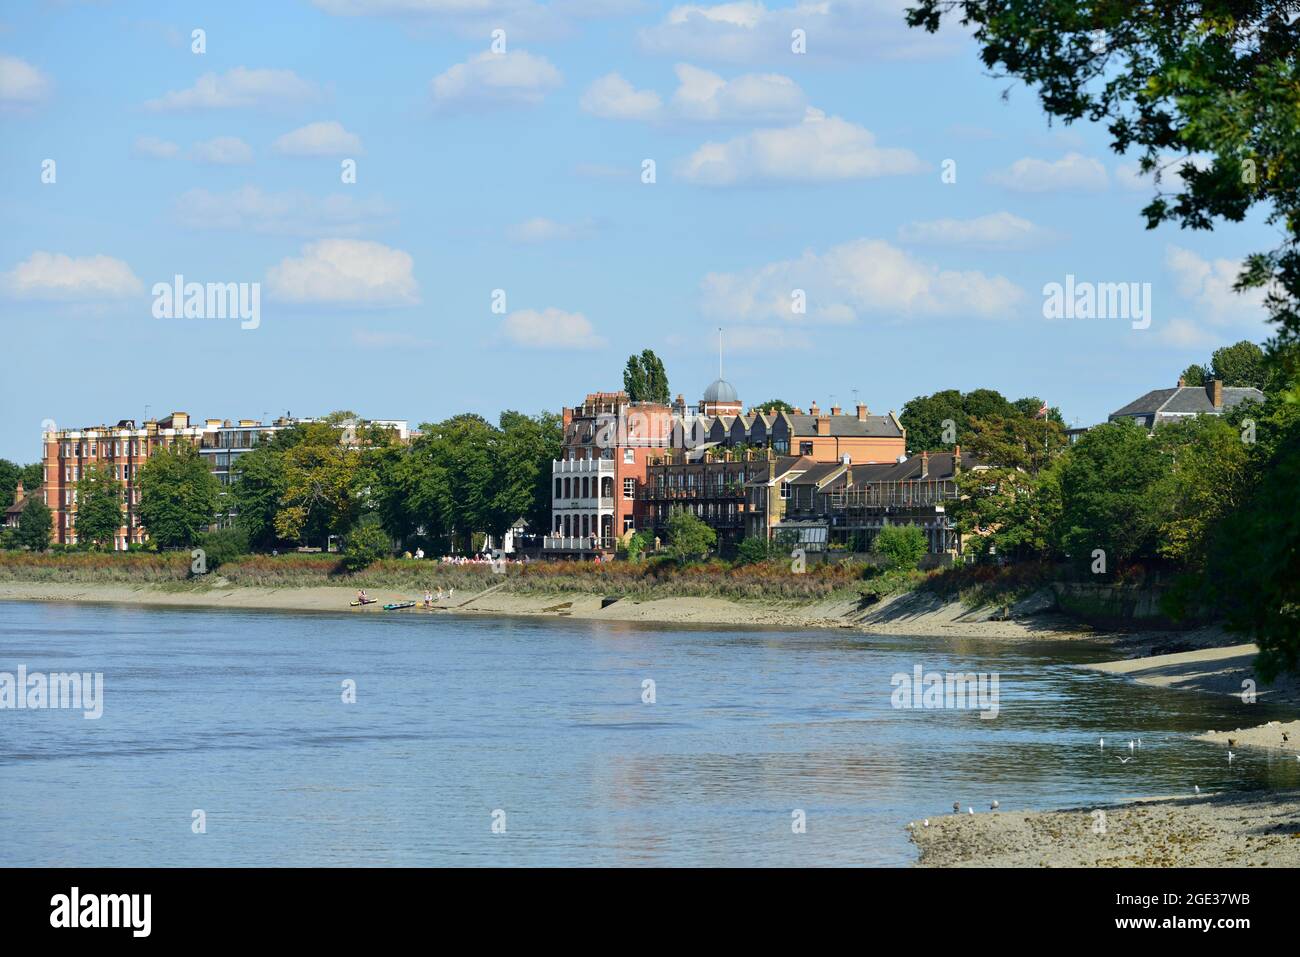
[{"x": 748, "y": 32}]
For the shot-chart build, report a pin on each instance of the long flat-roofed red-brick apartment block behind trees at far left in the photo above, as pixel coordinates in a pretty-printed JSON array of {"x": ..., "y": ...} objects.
[{"x": 125, "y": 448}]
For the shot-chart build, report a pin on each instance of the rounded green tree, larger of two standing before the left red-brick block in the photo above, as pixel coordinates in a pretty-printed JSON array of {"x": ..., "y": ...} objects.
[{"x": 179, "y": 496}]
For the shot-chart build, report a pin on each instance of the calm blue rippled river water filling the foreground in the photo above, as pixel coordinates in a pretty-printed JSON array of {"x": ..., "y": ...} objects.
[{"x": 241, "y": 714}]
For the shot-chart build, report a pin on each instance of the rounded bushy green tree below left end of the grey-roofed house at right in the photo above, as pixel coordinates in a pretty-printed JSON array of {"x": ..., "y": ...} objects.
[{"x": 1110, "y": 495}]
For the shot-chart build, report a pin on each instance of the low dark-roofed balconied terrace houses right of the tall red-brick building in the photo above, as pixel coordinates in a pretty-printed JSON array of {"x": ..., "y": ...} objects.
[{"x": 816, "y": 506}]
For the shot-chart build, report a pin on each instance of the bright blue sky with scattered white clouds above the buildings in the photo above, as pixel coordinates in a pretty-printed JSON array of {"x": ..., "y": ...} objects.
[{"x": 521, "y": 170}]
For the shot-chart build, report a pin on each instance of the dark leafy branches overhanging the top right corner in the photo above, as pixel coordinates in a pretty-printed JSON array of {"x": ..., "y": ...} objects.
[{"x": 1194, "y": 88}]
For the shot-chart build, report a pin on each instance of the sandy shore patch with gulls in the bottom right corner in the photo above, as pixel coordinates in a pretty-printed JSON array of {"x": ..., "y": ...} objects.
[{"x": 1206, "y": 832}]
